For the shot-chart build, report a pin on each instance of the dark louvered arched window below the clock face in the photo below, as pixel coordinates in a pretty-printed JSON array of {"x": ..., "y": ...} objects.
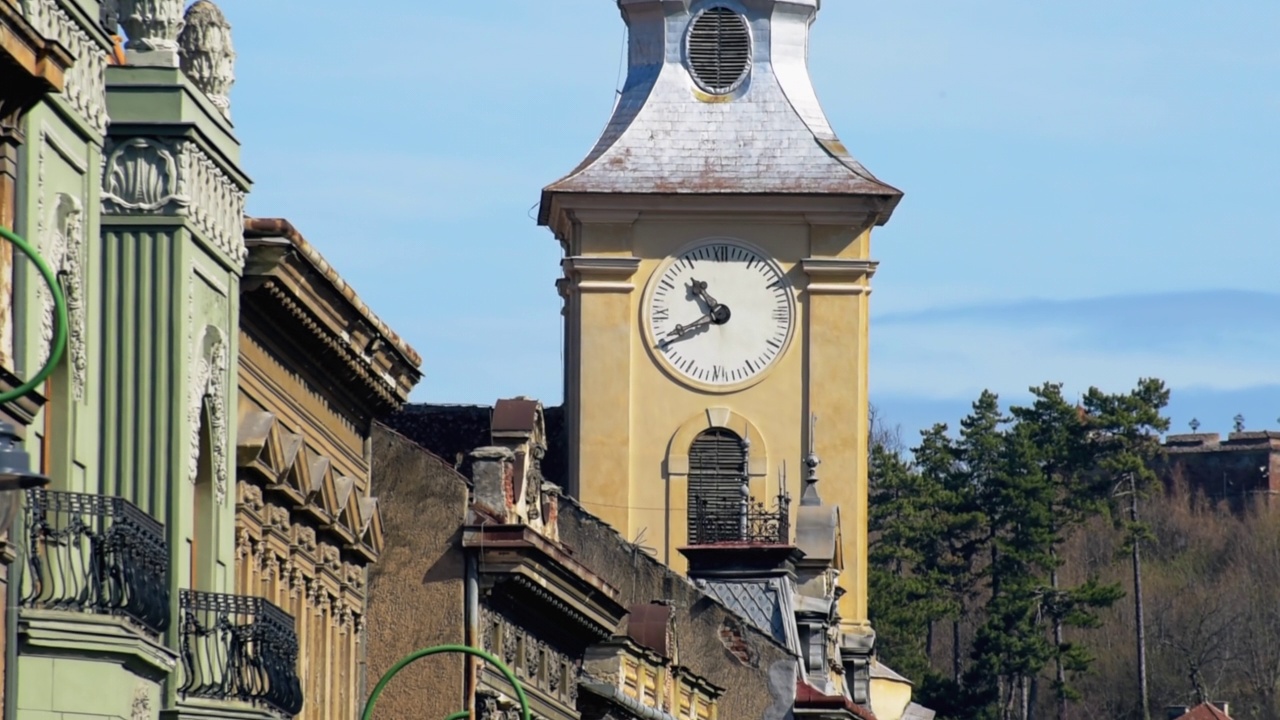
[{"x": 717, "y": 464}]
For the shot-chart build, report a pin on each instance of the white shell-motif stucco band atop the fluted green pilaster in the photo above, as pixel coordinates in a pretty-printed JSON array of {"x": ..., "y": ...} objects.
[{"x": 152, "y": 176}]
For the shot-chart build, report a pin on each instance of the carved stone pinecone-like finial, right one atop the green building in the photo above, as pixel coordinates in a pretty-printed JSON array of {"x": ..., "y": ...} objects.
[{"x": 207, "y": 54}]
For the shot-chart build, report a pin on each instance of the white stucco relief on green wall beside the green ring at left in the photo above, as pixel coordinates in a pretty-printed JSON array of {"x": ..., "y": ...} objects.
[{"x": 61, "y": 238}]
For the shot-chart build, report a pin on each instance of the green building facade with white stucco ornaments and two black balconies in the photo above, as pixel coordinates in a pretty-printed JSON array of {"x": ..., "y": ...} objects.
[{"x": 130, "y": 186}]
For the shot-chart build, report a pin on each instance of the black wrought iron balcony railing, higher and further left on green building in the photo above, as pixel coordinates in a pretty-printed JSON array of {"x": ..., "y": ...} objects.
[{"x": 97, "y": 554}]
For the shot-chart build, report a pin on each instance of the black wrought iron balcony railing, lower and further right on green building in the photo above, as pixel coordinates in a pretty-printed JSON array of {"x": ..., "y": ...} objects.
[{"x": 239, "y": 648}]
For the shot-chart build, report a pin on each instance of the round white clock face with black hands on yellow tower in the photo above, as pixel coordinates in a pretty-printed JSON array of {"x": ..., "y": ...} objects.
[{"x": 720, "y": 315}]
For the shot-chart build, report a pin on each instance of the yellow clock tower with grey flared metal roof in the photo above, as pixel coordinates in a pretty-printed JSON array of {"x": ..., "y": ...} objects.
[{"x": 717, "y": 271}]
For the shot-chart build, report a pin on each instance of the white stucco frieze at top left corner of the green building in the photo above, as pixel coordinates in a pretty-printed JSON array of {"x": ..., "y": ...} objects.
[{"x": 86, "y": 80}]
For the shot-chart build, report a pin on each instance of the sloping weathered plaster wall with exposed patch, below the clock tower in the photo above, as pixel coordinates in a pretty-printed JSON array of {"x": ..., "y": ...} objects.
[{"x": 706, "y": 631}]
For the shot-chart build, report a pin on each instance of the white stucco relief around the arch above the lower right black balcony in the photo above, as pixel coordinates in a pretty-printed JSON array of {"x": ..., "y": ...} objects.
[{"x": 209, "y": 390}]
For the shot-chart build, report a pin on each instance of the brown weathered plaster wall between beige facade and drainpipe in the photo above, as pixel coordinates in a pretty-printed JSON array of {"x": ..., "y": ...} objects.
[{"x": 417, "y": 589}]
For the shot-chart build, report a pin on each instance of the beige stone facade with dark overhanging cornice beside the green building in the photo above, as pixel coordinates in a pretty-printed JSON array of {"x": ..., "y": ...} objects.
[{"x": 308, "y": 527}]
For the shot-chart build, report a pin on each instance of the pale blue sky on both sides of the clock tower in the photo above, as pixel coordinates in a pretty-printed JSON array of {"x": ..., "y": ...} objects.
[{"x": 1091, "y": 188}]
